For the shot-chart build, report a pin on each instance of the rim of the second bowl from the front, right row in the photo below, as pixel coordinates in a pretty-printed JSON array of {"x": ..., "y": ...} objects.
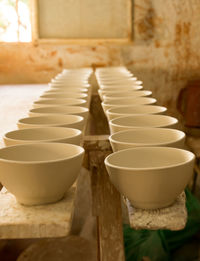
[{"x": 182, "y": 136}]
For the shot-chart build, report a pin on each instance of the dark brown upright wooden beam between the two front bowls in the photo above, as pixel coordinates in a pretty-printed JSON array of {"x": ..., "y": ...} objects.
[{"x": 106, "y": 202}]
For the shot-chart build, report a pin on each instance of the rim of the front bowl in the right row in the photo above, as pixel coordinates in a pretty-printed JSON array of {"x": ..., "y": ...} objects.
[{"x": 191, "y": 157}]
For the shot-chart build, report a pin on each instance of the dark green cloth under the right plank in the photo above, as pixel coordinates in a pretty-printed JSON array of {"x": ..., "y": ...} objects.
[{"x": 158, "y": 244}]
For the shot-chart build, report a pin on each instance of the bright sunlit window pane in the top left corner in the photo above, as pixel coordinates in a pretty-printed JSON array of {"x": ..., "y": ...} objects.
[{"x": 15, "y": 25}]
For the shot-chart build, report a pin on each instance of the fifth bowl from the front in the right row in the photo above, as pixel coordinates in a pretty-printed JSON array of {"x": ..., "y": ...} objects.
[{"x": 131, "y": 101}]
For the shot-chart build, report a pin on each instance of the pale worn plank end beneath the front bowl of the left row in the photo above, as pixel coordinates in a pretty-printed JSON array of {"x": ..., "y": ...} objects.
[{"x": 51, "y": 220}]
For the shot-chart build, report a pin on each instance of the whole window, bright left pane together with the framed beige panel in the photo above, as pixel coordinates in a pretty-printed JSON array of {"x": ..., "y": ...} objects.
[{"x": 60, "y": 21}]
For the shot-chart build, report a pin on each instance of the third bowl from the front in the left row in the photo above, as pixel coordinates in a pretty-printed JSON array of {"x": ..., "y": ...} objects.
[{"x": 59, "y": 120}]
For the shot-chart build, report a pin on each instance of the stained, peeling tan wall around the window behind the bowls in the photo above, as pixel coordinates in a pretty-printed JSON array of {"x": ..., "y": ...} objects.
[{"x": 165, "y": 53}]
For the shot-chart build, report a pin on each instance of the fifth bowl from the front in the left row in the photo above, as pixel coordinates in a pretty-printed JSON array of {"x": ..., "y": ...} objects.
[{"x": 56, "y": 102}]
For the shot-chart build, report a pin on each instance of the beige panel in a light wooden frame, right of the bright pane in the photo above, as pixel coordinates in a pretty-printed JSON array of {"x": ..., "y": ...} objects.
[{"x": 82, "y": 20}]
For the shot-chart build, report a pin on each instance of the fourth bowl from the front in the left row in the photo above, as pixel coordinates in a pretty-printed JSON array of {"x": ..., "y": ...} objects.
[{"x": 72, "y": 110}]
